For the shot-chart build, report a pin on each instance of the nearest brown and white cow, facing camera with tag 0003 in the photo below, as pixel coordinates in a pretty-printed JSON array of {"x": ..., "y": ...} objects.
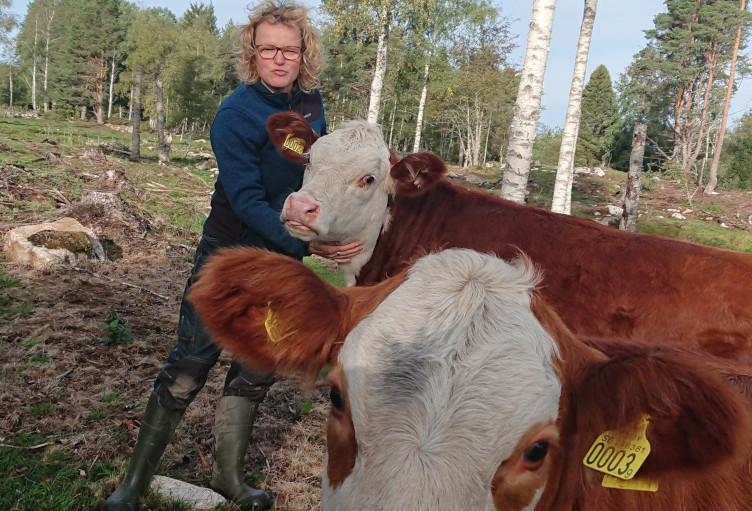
[{"x": 457, "y": 387}]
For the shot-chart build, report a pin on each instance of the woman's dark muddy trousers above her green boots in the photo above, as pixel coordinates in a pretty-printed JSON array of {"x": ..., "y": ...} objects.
[{"x": 187, "y": 366}]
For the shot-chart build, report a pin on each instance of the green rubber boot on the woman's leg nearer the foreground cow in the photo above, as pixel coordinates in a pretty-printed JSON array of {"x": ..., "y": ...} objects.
[{"x": 232, "y": 432}]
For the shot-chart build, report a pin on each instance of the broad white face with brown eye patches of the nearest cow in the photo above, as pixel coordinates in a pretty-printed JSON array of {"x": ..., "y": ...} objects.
[{"x": 447, "y": 385}]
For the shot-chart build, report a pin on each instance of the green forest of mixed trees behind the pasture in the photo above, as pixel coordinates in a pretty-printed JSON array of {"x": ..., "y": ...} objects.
[{"x": 449, "y": 64}]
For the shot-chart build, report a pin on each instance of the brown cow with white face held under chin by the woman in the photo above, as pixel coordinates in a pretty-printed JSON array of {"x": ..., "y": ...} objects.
[{"x": 605, "y": 283}]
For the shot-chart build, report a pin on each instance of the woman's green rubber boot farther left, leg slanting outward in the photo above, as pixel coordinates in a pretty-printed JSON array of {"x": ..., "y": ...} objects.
[{"x": 157, "y": 427}]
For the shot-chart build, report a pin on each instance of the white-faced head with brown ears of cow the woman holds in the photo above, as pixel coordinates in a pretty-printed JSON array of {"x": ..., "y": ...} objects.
[{"x": 353, "y": 169}]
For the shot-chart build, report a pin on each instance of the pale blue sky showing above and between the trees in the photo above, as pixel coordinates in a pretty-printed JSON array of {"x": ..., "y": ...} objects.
[{"x": 617, "y": 36}]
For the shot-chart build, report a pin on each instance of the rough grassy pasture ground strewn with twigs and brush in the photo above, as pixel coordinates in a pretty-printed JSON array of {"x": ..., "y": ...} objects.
[{"x": 72, "y": 401}]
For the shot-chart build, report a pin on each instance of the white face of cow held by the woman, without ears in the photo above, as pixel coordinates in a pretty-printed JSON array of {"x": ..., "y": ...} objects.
[{"x": 345, "y": 190}]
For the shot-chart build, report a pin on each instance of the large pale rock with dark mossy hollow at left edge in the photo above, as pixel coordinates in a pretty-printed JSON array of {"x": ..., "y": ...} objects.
[{"x": 41, "y": 246}]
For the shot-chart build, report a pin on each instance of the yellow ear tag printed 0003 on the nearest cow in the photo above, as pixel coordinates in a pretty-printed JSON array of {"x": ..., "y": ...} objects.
[{"x": 616, "y": 456}]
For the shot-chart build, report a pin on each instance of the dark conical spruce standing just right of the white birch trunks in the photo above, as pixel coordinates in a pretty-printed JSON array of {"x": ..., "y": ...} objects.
[{"x": 598, "y": 121}]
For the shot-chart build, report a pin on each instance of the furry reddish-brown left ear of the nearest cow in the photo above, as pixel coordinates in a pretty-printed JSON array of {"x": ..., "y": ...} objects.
[{"x": 274, "y": 313}]
